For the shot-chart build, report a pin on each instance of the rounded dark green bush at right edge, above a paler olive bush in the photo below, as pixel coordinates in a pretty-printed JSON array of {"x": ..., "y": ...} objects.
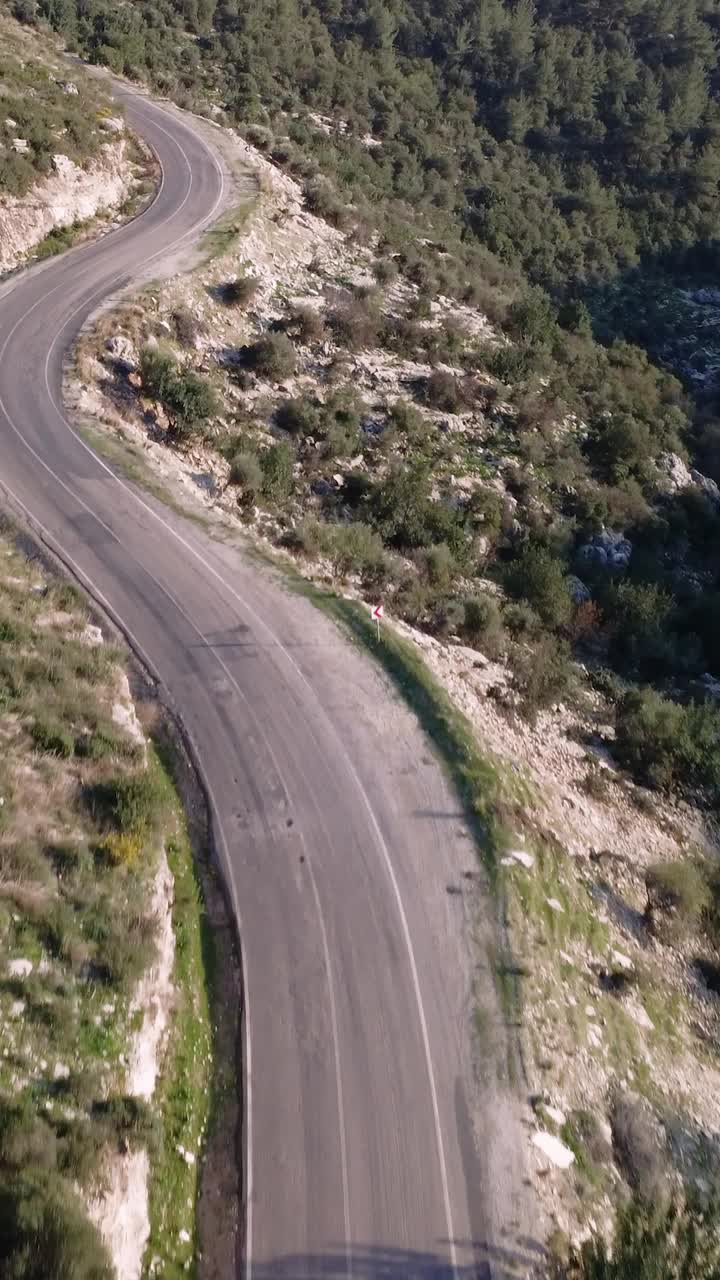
[{"x": 666, "y": 744}]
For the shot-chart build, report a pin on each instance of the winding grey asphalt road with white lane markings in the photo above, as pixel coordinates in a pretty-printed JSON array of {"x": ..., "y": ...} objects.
[{"x": 338, "y": 830}]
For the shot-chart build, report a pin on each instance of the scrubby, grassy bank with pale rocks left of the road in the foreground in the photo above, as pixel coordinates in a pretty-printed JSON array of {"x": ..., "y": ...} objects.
[{"x": 84, "y": 821}]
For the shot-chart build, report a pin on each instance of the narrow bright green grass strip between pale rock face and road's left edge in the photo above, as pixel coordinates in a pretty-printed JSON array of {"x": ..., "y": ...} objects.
[{"x": 183, "y": 1098}]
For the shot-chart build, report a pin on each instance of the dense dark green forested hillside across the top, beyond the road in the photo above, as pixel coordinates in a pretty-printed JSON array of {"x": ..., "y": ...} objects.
[{"x": 569, "y": 139}]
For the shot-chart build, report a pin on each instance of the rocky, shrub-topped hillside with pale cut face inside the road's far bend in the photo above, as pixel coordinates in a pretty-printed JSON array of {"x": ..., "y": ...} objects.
[{"x": 65, "y": 157}]
